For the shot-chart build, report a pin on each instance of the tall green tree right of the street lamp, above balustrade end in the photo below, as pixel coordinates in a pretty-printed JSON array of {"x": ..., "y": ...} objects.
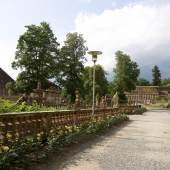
[{"x": 126, "y": 75}]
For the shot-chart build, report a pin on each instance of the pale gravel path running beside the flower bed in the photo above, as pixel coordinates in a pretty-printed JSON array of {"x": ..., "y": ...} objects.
[{"x": 142, "y": 144}]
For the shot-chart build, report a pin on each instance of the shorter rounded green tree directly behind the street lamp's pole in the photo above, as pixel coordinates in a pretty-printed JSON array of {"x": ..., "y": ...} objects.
[{"x": 101, "y": 83}]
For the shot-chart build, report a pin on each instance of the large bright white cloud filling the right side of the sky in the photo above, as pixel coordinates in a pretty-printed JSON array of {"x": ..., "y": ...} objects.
[{"x": 140, "y": 30}]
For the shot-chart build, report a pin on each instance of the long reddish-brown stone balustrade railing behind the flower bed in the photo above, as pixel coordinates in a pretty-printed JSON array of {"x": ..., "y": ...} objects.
[{"x": 16, "y": 126}]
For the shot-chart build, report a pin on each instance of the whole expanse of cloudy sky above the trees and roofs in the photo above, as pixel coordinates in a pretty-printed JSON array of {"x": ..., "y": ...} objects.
[{"x": 140, "y": 28}]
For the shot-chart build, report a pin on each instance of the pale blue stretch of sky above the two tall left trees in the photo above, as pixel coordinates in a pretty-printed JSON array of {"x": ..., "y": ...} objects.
[{"x": 15, "y": 14}]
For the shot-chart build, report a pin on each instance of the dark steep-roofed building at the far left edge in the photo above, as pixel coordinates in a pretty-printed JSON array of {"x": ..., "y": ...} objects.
[{"x": 4, "y": 79}]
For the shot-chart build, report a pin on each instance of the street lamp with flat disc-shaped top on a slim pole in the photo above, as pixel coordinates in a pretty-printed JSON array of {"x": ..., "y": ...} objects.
[{"x": 94, "y": 59}]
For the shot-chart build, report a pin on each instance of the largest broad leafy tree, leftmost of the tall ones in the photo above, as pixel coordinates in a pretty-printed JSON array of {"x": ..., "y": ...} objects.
[{"x": 36, "y": 56}]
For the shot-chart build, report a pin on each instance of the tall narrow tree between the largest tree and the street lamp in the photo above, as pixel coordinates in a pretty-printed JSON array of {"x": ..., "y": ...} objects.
[{"x": 72, "y": 58}]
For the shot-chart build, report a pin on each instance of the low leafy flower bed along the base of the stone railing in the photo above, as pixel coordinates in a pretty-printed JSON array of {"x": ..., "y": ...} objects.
[{"x": 60, "y": 137}]
